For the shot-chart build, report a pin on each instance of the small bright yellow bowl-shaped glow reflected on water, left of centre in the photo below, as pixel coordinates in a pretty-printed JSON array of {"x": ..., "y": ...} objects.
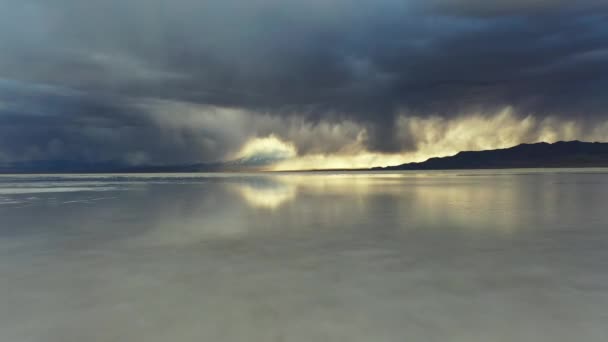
[{"x": 269, "y": 194}]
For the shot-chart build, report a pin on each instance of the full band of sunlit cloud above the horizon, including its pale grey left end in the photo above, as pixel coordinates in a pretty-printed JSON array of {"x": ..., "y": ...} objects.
[{"x": 279, "y": 143}]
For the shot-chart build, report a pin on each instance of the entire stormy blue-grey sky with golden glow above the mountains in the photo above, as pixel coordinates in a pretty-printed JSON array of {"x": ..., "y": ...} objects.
[{"x": 312, "y": 84}]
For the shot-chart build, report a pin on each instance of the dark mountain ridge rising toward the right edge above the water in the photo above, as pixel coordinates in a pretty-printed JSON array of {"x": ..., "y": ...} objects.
[{"x": 540, "y": 155}]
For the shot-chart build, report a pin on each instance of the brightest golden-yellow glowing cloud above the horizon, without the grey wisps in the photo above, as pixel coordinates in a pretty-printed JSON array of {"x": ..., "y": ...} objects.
[{"x": 433, "y": 136}]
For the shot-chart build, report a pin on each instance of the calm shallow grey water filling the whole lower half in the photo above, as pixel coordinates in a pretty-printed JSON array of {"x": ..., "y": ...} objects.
[{"x": 518, "y": 255}]
